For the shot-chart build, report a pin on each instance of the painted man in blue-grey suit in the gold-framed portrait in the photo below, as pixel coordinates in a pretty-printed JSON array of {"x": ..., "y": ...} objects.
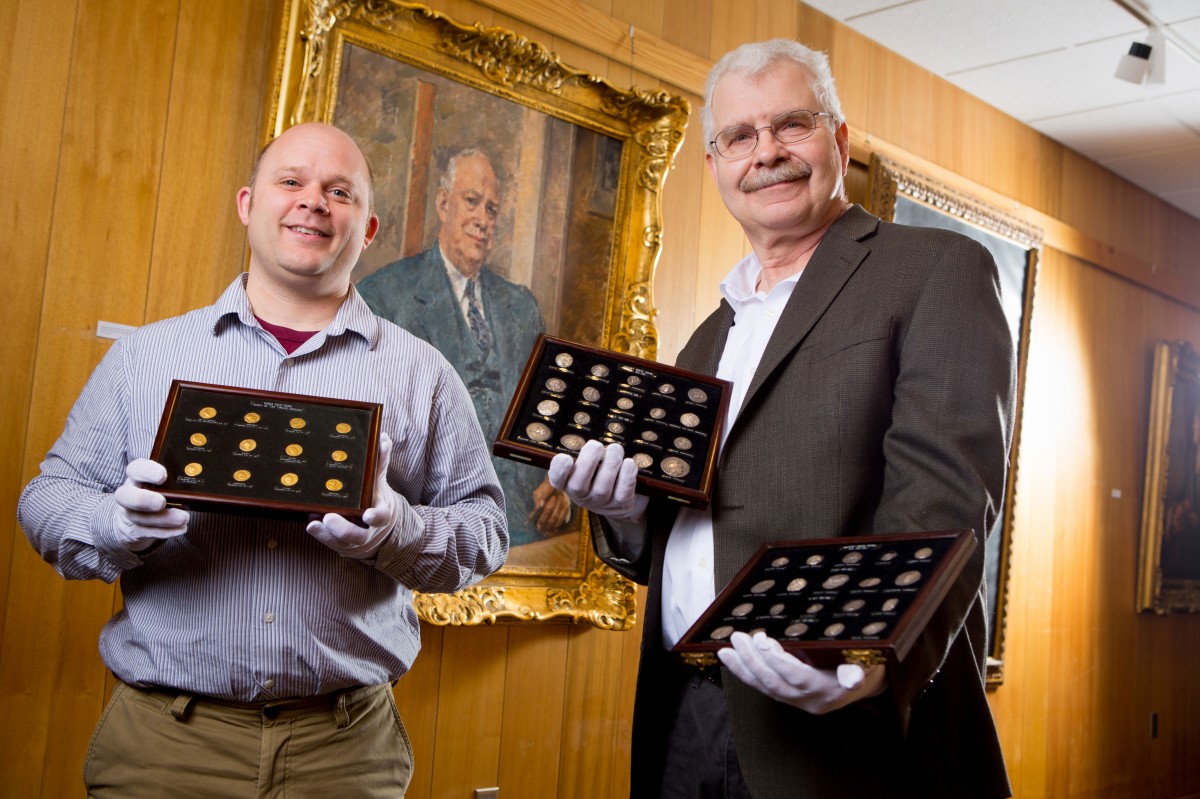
[{"x": 485, "y": 325}]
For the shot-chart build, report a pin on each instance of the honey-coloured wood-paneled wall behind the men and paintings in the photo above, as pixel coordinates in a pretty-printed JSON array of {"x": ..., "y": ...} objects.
[{"x": 127, "y": 130}]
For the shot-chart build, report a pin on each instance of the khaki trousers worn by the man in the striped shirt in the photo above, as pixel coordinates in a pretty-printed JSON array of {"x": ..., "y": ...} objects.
[{"x": 157, "y": 743}]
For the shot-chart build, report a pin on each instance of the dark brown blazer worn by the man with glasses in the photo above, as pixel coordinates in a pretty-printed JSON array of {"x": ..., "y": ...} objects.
[{"x": 884, "y": 404}]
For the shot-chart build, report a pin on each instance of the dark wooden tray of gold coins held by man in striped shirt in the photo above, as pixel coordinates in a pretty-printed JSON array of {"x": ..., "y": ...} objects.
[{"x": 262, "y": 453}]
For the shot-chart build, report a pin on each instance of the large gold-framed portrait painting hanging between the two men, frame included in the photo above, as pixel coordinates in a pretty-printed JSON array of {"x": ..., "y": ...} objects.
[{"x": 493, "y": 158}]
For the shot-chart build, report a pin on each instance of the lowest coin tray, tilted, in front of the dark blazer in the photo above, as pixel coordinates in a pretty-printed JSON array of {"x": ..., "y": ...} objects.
[{"x": 829, "y": 602}]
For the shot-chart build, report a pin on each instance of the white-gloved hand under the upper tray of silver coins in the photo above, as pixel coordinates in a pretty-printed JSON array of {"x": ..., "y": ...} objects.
[{"x": 608, "y": 490}]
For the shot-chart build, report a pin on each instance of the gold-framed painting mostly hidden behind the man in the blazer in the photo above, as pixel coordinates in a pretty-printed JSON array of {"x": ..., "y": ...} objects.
[{"x": 902, "y": 195}]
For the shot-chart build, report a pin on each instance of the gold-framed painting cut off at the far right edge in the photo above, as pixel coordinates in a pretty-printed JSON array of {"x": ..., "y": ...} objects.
[{"x": 1169, "y": 558}]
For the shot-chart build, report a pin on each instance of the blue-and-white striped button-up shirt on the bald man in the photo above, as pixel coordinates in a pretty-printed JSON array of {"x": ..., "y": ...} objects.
[{"x": 250, "y": 609}]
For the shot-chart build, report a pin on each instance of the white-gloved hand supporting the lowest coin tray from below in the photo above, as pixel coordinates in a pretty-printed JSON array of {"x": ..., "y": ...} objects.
[{"x": 761, "y": 663}]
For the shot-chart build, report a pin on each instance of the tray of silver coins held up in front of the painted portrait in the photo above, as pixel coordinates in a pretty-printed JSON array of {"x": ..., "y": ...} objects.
[{"x": 669, "y": 420}]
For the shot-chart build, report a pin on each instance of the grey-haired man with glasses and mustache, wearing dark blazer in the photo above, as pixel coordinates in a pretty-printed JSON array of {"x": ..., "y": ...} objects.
[{"x": 873, "y": 377}]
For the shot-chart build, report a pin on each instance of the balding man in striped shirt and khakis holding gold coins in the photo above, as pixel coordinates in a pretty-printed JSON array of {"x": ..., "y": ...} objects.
[{"x": 259, "y": 651}]
